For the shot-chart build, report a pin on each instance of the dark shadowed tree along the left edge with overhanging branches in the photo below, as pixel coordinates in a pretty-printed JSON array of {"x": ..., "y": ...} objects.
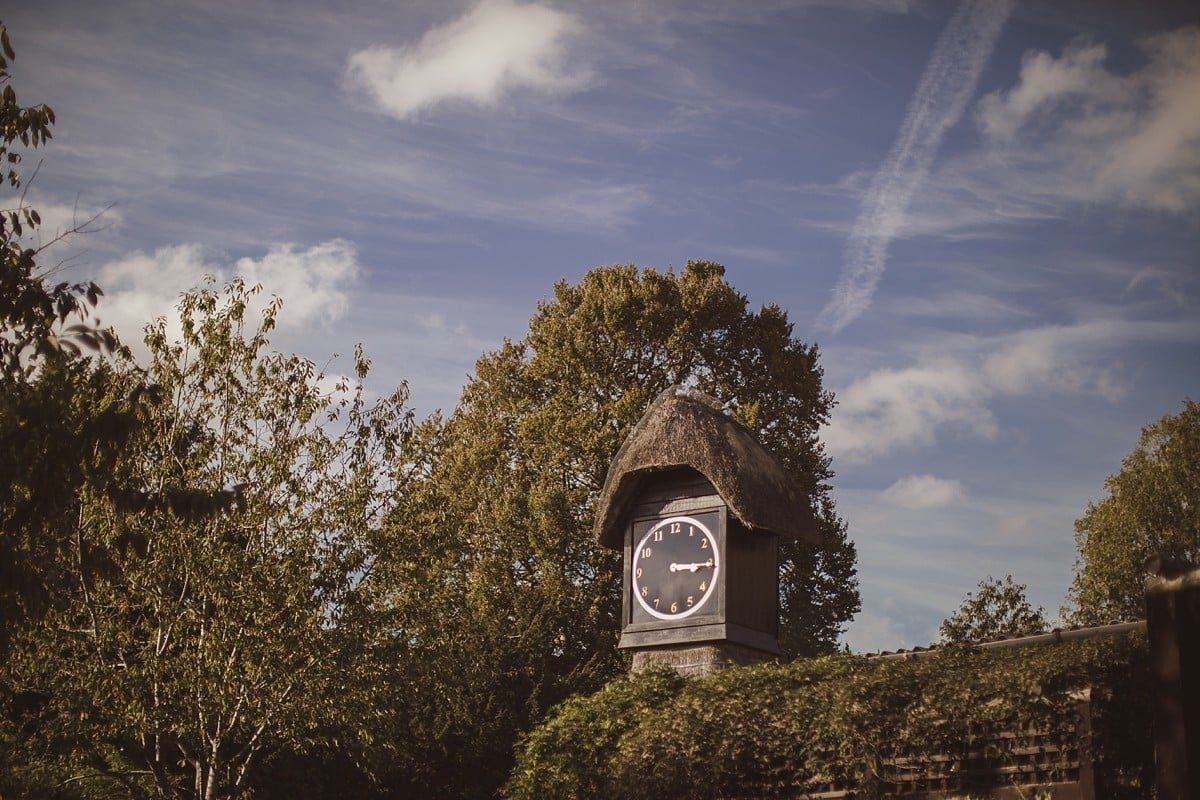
[{"x": 61, "y": 428}]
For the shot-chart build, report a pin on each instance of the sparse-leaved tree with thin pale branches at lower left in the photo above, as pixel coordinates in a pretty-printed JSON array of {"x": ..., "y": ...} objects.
[{"x": 209, "y": 642}]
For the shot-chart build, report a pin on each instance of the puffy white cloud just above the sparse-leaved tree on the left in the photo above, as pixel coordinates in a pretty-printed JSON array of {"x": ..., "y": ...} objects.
[{"x": 311, "y": 282}]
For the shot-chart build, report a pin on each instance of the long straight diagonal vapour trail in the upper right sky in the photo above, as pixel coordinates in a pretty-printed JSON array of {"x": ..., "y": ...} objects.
[{"x": 943, "y": 95}]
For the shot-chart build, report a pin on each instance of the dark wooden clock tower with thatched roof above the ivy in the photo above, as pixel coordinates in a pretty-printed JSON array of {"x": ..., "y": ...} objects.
[{"x": 698, "y": 507}]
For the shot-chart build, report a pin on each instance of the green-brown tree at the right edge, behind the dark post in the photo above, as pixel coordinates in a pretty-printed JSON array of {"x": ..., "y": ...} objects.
[{"x": 1153, "y": 509}]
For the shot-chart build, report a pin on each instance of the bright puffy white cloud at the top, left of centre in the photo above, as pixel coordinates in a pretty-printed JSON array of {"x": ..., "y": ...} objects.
[{"x": 495, "y": 49}]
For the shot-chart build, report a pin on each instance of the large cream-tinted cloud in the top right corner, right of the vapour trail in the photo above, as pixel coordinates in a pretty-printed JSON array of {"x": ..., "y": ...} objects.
[{"x": 1071, "y": 131}]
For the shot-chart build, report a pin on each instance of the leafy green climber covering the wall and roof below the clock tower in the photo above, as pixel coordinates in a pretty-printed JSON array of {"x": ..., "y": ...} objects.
[{"x": 777, "y": 731}]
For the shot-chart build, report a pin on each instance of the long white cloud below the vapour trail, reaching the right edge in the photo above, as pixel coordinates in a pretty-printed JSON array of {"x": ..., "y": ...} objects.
[{"x": 895, "y": 410}]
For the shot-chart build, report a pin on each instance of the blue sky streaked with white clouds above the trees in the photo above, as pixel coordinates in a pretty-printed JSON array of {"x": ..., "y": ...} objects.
[{"x": 985, "y": 213}]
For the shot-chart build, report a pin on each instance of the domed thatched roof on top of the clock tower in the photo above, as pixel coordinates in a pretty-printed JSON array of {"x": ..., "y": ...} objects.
[{"x": 689, "y": 429}]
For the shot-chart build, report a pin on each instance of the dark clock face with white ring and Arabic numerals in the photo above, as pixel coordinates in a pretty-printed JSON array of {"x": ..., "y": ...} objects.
[{"x": 675, "y": 570}]
